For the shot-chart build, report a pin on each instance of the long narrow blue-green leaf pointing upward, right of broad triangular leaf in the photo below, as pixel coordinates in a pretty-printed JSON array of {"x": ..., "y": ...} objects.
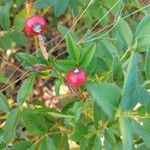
[{"x": 129, "y": 93}]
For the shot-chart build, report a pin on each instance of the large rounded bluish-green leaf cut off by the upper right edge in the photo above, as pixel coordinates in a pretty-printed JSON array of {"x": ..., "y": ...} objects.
[{"x": 143, "y": 34}]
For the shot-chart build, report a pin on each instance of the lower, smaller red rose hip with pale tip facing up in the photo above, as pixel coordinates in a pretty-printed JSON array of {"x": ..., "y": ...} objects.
[{"x": 76, "y": 77}]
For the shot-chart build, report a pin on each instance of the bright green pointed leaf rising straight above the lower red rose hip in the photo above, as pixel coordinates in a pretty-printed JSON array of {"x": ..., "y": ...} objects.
[{"x": 72, "y": 48}]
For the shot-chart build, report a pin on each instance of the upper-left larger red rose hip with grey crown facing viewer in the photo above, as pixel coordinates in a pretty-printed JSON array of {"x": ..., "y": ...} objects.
[{"x": 35, "y": 25}]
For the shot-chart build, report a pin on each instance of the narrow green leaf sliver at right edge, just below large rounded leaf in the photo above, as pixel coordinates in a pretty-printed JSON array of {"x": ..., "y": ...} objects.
[{"x": 147, "y": 64}]
